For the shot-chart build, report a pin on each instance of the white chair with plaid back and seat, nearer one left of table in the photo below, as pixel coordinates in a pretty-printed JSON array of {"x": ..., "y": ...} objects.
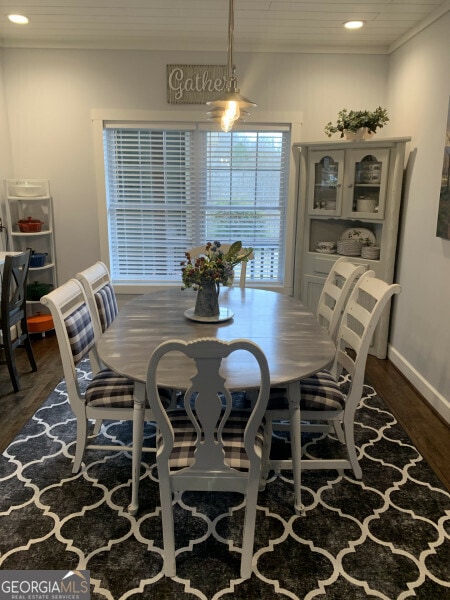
[{"x": 108, "y": 395}]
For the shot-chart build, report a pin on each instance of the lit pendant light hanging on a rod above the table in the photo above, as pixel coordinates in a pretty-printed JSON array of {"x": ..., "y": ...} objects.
[{"x": 228, "y": 108}]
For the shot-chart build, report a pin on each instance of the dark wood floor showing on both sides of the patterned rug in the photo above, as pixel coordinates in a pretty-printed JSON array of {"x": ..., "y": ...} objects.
[{"x": 428, "y": 432}]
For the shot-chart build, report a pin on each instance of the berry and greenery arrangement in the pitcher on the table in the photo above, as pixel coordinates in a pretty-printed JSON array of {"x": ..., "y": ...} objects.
[{"x": 214, "y": 265}]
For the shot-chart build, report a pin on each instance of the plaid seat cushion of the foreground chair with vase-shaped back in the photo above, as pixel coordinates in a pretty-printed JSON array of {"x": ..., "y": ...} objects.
[{"x": 233, "y": 435}]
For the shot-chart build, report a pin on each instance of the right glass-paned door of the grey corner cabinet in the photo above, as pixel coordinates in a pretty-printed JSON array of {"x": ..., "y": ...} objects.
[{"x": 365, "y": 184}]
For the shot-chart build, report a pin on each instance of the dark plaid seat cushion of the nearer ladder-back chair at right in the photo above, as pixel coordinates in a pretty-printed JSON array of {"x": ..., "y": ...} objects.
[{"x": 318, "y": 392}]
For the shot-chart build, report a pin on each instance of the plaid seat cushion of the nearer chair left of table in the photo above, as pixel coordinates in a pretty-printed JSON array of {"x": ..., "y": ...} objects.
[{"x": 107, "y": 388}]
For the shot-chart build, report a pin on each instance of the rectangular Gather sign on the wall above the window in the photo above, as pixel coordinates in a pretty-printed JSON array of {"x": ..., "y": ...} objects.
[{"x": 195, "y": 84}]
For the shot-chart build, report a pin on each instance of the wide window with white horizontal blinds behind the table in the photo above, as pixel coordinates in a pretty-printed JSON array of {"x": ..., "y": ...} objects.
[{"x": 169, "y": 189}]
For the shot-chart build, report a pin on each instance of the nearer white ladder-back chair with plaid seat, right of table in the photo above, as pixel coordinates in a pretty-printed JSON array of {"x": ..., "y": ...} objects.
[{"x": 321, "y": 396}]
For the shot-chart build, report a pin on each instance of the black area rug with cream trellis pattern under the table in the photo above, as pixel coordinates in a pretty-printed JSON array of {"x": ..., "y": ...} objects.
[{"x": 387, "y": 536}]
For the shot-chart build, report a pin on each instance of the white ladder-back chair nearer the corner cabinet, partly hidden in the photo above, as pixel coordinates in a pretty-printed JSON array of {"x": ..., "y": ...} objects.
[{"x": 335, "y": 293}]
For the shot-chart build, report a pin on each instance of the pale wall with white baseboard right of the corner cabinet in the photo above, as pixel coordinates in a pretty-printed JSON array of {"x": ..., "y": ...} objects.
[{"x": 418, "y": 97}]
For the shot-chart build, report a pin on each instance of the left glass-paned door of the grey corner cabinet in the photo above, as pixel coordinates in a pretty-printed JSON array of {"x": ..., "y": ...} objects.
[{"x": 325, "y": 182}]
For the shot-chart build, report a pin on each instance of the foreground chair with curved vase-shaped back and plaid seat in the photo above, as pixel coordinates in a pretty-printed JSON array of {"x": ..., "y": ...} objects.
[{"x": 205, "y": 445}]
